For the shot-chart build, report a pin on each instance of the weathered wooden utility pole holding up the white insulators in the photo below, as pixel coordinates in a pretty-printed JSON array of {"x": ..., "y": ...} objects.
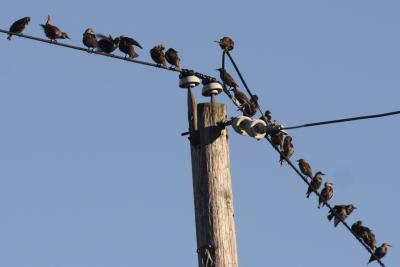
[{"x": 212, "y": 186}]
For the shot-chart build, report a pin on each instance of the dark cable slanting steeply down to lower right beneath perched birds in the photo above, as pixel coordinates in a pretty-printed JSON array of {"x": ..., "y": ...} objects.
[{"x": 303, "y": 178}]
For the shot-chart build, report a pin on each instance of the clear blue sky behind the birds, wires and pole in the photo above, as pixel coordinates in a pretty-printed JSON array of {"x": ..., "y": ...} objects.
[{"x": 94, "y": 171}]
